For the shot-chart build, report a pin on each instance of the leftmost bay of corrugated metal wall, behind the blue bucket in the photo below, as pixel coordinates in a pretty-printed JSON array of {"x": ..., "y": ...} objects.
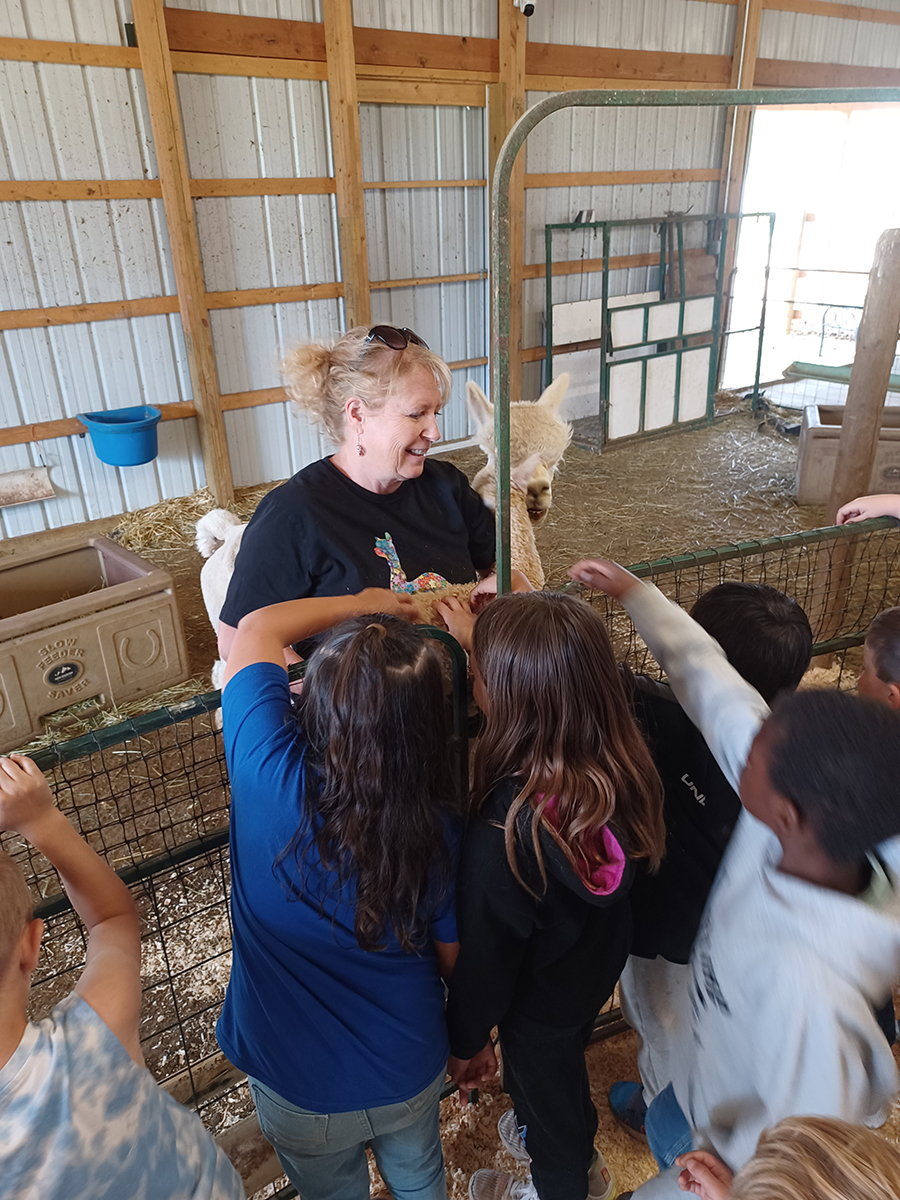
[{"x": 85, "y": 123}]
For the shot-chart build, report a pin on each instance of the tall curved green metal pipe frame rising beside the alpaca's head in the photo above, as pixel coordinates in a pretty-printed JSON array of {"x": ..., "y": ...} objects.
[{"x": 740, "y": 98}]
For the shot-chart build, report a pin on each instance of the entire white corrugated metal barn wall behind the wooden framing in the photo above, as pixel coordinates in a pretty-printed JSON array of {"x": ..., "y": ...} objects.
[{"x": 70, "y": 123}]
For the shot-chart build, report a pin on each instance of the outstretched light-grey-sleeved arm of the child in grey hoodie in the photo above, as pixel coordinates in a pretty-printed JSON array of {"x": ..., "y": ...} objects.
[{"x": 724, "y": 707}]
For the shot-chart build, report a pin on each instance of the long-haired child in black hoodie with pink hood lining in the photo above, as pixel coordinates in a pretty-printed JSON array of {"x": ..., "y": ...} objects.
[{"x": 566, "y": 799}]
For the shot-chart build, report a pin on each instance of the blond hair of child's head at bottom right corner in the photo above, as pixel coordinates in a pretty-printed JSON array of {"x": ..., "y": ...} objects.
[{"x": 820, "y": 1159}]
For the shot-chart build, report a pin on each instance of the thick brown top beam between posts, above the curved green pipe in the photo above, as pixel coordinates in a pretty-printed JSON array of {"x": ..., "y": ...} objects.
[{"x": 550, "y": 59}]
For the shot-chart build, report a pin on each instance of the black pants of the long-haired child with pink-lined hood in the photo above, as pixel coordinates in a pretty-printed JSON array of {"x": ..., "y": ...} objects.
[{"x": 545, "y": 1073}]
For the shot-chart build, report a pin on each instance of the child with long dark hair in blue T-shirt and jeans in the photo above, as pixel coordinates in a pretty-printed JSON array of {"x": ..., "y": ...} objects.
[{"x": 343, "y": 893}]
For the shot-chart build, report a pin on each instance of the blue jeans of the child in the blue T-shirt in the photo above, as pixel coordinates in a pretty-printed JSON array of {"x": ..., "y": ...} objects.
[{"x": 325, "y": 1155}]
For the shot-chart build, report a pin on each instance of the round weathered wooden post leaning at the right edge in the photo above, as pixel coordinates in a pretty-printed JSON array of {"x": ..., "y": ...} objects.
[{"x": 877, "y": 346}]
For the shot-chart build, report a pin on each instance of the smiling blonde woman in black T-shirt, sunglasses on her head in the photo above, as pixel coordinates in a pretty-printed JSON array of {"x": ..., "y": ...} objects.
[{"x": 377, "y": 513}]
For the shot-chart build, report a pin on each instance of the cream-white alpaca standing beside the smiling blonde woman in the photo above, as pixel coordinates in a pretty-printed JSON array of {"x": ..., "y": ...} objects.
[{"x": 538, "y": 441}]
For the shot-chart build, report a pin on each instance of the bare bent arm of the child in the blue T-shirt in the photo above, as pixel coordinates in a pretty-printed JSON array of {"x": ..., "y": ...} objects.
[{"x": 262, "y": 635}]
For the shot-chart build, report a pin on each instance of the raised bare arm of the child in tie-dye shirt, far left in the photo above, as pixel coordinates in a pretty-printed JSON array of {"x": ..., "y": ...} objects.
[{"x": 111, "y": 981}]
